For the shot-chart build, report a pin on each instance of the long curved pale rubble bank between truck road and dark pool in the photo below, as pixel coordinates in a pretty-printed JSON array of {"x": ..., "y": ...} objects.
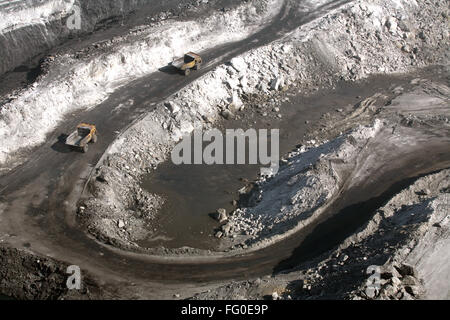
[{"x": 349, "y": 44}]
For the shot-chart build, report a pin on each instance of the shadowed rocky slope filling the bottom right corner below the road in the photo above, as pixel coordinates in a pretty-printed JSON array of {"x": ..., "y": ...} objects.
[{"x": 405, "y": 243}]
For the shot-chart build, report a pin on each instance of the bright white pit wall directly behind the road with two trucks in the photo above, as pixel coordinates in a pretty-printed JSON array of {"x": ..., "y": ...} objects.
[{"x": 80, "y": 80}]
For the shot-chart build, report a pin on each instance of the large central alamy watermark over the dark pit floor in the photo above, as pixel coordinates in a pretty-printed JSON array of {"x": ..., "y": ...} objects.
[{"x": 211, "y": 147}]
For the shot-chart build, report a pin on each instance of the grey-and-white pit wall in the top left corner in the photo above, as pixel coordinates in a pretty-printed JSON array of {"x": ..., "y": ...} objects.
[{"x": 30, "y": 28}]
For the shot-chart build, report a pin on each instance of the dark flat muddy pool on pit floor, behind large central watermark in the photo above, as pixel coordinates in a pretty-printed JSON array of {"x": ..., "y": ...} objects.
[{"x": 195, "y": 191}]
